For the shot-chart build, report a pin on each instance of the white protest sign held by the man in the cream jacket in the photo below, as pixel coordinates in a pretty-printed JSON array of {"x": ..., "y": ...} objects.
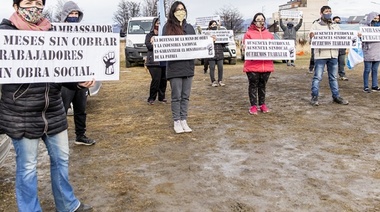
[{"x": 334, "y": 39}]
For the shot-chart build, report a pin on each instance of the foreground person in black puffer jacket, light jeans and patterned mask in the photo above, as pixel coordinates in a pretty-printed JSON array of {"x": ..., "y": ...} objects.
[{"x": 33, "y": 111}]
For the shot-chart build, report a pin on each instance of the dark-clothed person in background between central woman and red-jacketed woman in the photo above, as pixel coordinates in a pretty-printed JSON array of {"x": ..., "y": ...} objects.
[{"x": 217, "y": 59}]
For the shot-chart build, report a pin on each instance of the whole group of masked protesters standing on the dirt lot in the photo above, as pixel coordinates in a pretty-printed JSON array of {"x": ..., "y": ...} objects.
[{"x": 34, "y": 111}]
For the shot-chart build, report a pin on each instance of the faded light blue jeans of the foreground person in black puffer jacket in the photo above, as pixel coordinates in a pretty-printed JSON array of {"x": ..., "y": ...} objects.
[{"x": 26, "y": 173}]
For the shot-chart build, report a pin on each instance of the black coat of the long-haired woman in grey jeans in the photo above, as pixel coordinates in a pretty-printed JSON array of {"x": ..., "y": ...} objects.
[{"x": 181, "y": 68}]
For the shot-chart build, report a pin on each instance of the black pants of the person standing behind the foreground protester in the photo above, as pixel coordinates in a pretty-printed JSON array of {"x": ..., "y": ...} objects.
[{"x": 79, "y": 100}]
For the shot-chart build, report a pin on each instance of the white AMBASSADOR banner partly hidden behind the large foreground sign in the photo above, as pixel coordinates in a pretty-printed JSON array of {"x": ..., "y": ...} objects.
[{"x": 79, "y": 27}]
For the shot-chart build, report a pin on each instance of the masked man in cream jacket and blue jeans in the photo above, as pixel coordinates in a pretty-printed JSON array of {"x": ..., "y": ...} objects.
[{"x": 325, "y": 57}]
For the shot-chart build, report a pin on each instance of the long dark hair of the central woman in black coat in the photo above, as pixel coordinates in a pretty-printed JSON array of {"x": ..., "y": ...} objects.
[{"x": 173, "y": 26}]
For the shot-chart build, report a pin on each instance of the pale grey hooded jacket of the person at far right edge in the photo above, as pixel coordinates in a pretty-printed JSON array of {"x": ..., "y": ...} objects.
[{"x": 371, "y": 49}]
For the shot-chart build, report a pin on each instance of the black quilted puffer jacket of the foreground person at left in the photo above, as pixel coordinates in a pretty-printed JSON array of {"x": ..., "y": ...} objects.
[{"x": 32, "y": 110}]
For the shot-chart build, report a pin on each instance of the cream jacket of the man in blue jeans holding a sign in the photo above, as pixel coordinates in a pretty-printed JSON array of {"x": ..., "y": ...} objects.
[{"x": 324, "y": 53}]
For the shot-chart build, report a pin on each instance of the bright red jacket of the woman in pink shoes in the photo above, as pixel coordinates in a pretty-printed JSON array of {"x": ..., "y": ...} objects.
[{"x": 258, "y": 65}]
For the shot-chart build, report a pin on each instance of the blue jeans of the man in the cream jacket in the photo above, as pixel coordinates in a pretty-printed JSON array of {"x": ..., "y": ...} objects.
[{"x": 332, "y": 71}]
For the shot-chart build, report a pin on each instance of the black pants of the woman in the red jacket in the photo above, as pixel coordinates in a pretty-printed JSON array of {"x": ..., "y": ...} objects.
[{"x": 257, "y": 85}]
